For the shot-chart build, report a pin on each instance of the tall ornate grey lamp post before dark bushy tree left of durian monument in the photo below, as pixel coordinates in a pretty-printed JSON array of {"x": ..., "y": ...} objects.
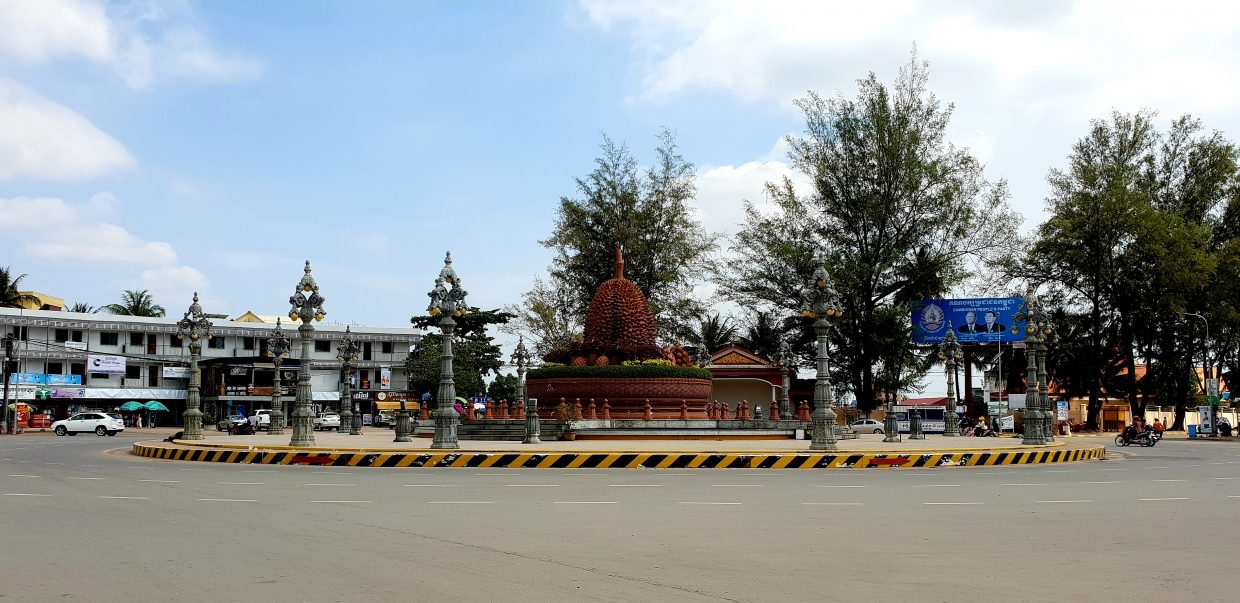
[{"x": 449, "y": 305}]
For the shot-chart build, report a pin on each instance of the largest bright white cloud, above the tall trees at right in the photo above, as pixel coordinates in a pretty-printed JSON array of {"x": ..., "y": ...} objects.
[{"x": 1026, "y": 78}]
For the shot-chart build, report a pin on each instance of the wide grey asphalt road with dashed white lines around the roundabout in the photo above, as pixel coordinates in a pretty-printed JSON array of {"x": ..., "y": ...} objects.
[{"x": 84, "y": 523}]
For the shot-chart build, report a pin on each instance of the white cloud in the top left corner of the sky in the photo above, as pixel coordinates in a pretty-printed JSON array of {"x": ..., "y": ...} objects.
[{"x": 139, "y": 42}]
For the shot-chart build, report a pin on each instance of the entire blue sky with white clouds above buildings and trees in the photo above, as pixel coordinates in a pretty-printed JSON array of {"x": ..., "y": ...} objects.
[{"x": 216, "y": 147}]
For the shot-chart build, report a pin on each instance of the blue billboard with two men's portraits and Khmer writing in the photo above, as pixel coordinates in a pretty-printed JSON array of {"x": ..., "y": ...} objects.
[{"x": 984, "y": 321}]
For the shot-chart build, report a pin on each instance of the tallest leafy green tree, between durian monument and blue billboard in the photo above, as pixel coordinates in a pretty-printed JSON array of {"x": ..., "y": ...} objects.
[{"x": 896, "y": 213}]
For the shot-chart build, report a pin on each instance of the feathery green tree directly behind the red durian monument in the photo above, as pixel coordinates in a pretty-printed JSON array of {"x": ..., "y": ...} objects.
[{"x": 647, "y": 214}]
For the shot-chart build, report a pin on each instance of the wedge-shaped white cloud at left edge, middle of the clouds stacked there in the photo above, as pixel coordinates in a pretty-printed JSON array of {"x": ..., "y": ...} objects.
[{"x": 46, "y": 141}]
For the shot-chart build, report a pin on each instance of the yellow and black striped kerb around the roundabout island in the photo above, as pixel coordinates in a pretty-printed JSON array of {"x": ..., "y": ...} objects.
[{"x": 622, "y": 460}]
